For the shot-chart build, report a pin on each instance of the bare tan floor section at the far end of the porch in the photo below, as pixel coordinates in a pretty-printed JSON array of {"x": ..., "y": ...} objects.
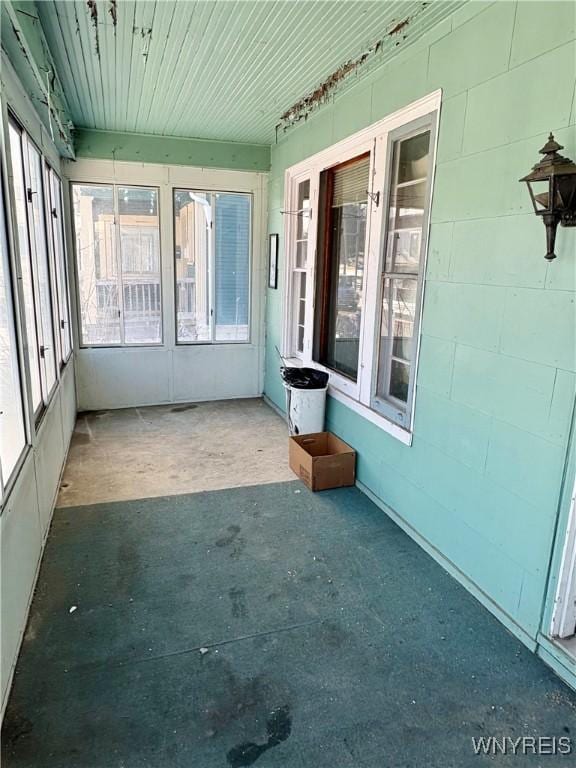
[{"x": 137, "y": 453}]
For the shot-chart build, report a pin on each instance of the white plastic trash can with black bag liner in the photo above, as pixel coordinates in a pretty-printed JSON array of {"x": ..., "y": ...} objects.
[{"x": 305, "y": 399}]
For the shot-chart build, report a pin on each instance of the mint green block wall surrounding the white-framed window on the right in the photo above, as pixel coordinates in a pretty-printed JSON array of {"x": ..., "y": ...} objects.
[{"x": 496, "y": 381}]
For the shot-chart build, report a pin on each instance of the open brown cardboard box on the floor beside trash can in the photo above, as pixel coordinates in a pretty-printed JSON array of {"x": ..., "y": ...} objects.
[{"x": 322, "y": 461}]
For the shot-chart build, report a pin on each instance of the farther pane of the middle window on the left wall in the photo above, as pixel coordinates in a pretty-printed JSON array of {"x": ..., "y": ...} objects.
[{"x": 42, "y": 274}]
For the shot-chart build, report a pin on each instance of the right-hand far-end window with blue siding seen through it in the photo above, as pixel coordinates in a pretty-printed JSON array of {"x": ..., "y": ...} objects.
[{"x": 212, "y": 247}]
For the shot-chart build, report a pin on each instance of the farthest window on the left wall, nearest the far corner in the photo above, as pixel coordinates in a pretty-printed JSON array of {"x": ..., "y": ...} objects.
[{"x": 54, "y": 193}]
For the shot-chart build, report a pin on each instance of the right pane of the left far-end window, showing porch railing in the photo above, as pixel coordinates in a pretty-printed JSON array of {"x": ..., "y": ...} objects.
[{"x": 140, "y": 259}]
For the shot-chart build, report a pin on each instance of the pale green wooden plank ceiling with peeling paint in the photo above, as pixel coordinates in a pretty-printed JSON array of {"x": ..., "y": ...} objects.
[{"x": 215, "y": 69}]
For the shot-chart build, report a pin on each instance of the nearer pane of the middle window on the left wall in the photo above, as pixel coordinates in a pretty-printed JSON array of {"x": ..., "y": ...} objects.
[{"x": 25, "y": 266}]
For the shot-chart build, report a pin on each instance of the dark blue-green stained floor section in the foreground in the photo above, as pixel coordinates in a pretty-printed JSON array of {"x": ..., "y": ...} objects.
[{"x": 264, "y": 626}]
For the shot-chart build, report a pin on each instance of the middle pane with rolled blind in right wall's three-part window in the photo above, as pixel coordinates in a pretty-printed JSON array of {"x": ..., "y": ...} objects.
[{"x": 345, "y": 190}]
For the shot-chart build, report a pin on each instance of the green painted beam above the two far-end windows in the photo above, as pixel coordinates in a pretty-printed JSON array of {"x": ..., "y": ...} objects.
[{"x": 171, "y": 151}]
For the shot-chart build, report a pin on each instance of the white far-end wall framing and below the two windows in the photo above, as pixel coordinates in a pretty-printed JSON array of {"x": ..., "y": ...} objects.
[{"x": 127, "y": 376}]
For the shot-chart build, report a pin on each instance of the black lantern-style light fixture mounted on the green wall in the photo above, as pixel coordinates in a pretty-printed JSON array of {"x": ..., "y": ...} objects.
[{"x": 552, "y": 187}]
